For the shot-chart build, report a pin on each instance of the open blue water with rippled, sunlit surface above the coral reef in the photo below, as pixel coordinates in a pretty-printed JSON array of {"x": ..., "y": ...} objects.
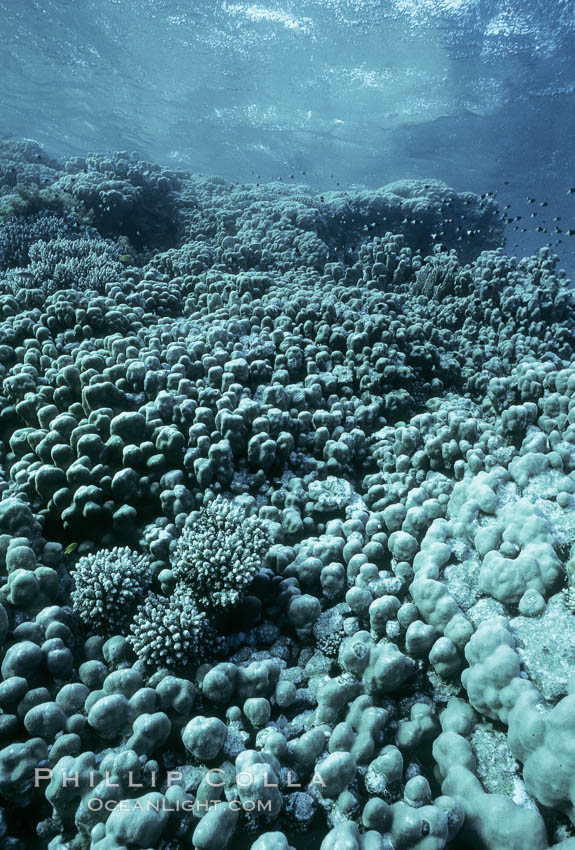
[{"x": 479, "y": 93}]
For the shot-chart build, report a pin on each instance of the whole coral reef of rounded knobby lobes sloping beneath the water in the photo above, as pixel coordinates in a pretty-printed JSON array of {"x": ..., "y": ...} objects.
[{"x": 287, "y": 507}]
